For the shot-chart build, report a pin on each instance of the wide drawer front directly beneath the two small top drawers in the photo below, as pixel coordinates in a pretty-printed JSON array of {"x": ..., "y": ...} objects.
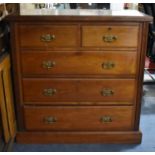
[{"x": 79, "y": 63}]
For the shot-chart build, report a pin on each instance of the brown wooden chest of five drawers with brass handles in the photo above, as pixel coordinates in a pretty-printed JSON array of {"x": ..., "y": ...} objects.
[{"x": 78, "y": 78}]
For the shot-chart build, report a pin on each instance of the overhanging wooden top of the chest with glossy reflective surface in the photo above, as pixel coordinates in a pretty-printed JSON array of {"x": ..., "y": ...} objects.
[{"x": 81, "y": 15}]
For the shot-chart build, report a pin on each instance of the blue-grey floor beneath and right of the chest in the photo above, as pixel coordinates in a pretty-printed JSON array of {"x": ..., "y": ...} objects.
[{"x": 147, "y": 126}]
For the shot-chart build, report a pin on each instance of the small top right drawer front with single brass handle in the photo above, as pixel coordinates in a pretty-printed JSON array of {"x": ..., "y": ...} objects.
[{"x": 110, "y": 36}]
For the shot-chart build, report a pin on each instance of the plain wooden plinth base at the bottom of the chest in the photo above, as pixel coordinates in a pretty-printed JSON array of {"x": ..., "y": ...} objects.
[{"x": 129, "y": 137}]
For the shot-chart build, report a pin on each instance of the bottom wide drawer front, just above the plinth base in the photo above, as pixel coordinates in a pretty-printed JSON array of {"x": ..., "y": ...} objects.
[{"x": 85, "y": 118}]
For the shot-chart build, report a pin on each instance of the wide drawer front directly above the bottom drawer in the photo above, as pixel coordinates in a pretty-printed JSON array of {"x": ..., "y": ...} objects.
[{"x": 77, "y": 90}]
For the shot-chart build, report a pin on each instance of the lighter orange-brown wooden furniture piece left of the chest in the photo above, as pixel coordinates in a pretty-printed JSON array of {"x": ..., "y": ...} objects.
[{"x": 7, "y": 101}]
